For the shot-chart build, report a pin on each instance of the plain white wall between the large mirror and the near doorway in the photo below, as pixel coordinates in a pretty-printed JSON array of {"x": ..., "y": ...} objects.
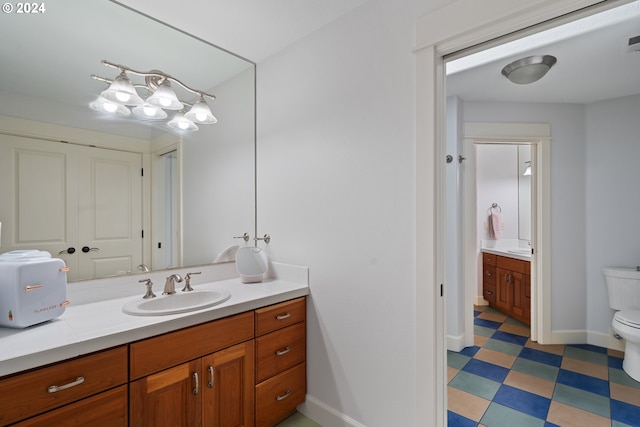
[{"x": 336, "y": 119}]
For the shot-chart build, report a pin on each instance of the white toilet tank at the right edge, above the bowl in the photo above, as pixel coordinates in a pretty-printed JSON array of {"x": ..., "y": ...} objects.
[{"x": 623, "y": 287}]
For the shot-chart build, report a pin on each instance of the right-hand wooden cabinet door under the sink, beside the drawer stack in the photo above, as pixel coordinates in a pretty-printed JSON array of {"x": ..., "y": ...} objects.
[{"x": 228, "y": 387}]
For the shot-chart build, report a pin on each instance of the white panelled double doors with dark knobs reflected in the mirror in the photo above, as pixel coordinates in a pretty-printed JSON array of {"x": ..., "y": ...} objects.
[{"x": 62, "y": 198}]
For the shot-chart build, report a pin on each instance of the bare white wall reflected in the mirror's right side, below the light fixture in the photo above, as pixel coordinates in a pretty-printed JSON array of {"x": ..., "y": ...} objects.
[{"x": 220, "y": 156}]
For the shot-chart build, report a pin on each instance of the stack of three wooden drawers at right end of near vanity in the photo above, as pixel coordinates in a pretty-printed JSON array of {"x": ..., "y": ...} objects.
[{"x": 280, "y": 361}]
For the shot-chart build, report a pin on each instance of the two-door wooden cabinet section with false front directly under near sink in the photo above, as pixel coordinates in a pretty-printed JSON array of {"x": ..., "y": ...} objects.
[{"x": 213, "y": 389}]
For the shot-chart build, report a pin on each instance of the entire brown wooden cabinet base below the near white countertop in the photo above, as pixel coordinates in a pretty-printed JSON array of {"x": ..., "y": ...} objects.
[{"x": 203, "y": 375}]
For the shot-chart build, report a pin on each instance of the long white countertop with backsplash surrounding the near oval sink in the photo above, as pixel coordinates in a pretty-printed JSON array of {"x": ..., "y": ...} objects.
[{"x": 93, "y": 325}]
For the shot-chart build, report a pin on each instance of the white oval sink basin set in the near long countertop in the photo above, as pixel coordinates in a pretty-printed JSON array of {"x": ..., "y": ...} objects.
[{"x": 180, "y": 302}]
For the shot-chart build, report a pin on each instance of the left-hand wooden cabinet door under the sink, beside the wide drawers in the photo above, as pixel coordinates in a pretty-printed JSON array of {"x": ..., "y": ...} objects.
[{"x": 168, "y": 398}]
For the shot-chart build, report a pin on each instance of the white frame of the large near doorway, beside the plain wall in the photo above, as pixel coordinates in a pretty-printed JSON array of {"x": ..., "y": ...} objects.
[{"x": 463, "y": 24}]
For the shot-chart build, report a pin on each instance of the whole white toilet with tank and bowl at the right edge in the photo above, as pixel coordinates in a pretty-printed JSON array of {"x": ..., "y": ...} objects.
[{"x": 623, "y": 286}]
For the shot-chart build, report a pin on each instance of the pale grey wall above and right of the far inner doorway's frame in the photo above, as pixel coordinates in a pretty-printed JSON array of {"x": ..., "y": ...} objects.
[{"x": 568, "y": 192}]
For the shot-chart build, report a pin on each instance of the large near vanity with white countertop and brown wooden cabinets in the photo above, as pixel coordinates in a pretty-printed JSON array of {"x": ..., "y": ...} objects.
[{"x": 239, "y": 363}]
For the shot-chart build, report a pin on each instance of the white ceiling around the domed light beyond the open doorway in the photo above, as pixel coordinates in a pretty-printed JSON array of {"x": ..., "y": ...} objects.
[{"x": 593, "y": 63}]
